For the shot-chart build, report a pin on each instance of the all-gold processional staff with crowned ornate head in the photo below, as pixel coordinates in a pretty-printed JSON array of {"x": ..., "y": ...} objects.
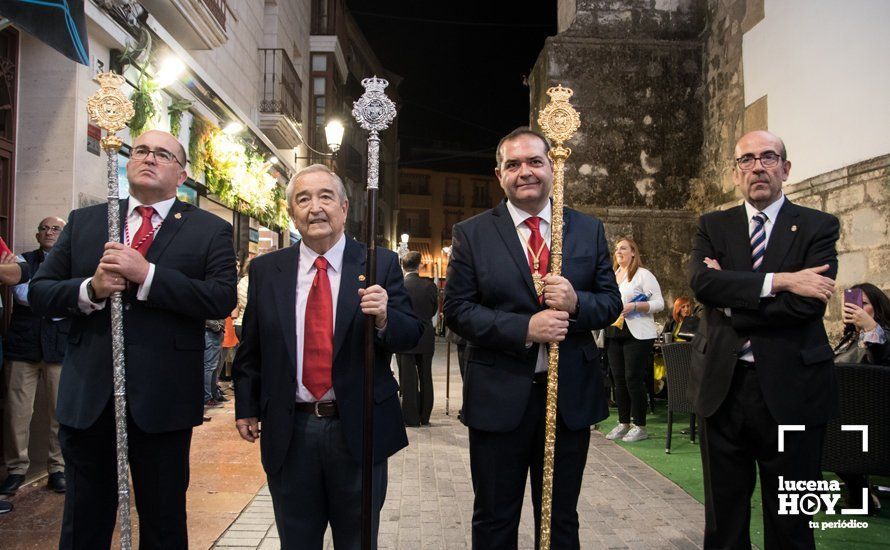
[{"x": 559, "y": 122}]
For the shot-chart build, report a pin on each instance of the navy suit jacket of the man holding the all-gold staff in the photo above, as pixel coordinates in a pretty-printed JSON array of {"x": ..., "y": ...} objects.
[{"x": 489, "y": 300}]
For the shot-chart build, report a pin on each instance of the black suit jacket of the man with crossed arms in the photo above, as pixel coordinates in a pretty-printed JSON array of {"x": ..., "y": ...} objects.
[{"x": 793, "y": 357}]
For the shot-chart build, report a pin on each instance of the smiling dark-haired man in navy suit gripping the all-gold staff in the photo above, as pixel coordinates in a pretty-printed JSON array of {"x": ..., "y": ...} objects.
[{"x": 492, "y": 301}]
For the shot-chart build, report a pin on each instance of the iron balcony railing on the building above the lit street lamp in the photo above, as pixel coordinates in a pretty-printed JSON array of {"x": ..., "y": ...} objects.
[{"x": 282, "y": 87}]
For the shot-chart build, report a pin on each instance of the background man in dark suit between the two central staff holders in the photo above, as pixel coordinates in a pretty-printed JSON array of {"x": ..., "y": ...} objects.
[{"x": 416, "y": 365}]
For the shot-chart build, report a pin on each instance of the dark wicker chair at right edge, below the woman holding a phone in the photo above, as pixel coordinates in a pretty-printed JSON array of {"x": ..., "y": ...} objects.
[{"x": 864, "y": 399}]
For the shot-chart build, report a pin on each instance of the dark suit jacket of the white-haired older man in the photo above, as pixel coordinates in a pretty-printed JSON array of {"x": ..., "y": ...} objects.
[{"x": 265, "y": 367}]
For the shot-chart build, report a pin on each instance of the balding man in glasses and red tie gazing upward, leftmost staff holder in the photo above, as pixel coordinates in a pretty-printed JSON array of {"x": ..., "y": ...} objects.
[{"x": 176, "y": 268}]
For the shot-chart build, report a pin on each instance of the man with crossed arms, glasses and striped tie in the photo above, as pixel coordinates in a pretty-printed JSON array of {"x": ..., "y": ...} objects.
[{"x": 764, "y": 272}]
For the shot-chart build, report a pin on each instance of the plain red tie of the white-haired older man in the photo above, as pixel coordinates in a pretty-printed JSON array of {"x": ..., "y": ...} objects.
[{"x": 318, "y": 333}]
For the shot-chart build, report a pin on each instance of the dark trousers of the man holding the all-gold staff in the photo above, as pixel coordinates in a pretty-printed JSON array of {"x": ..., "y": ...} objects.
[{"x": 500, "y": 464}]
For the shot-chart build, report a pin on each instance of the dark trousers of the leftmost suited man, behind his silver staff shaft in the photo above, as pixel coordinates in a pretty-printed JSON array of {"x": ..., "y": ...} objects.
[{"x": 159, "y": 464}]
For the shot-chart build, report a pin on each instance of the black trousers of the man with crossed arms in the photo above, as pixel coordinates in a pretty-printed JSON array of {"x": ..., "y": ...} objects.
[{"x": 742, "y": 434}]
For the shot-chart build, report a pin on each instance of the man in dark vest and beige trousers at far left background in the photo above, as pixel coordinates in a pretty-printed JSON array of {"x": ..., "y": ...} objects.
[{"x": 35, "y": 346}]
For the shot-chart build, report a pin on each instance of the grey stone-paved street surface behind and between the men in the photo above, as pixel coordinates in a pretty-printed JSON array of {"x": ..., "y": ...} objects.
[{"x": 429, "y": 505}]
